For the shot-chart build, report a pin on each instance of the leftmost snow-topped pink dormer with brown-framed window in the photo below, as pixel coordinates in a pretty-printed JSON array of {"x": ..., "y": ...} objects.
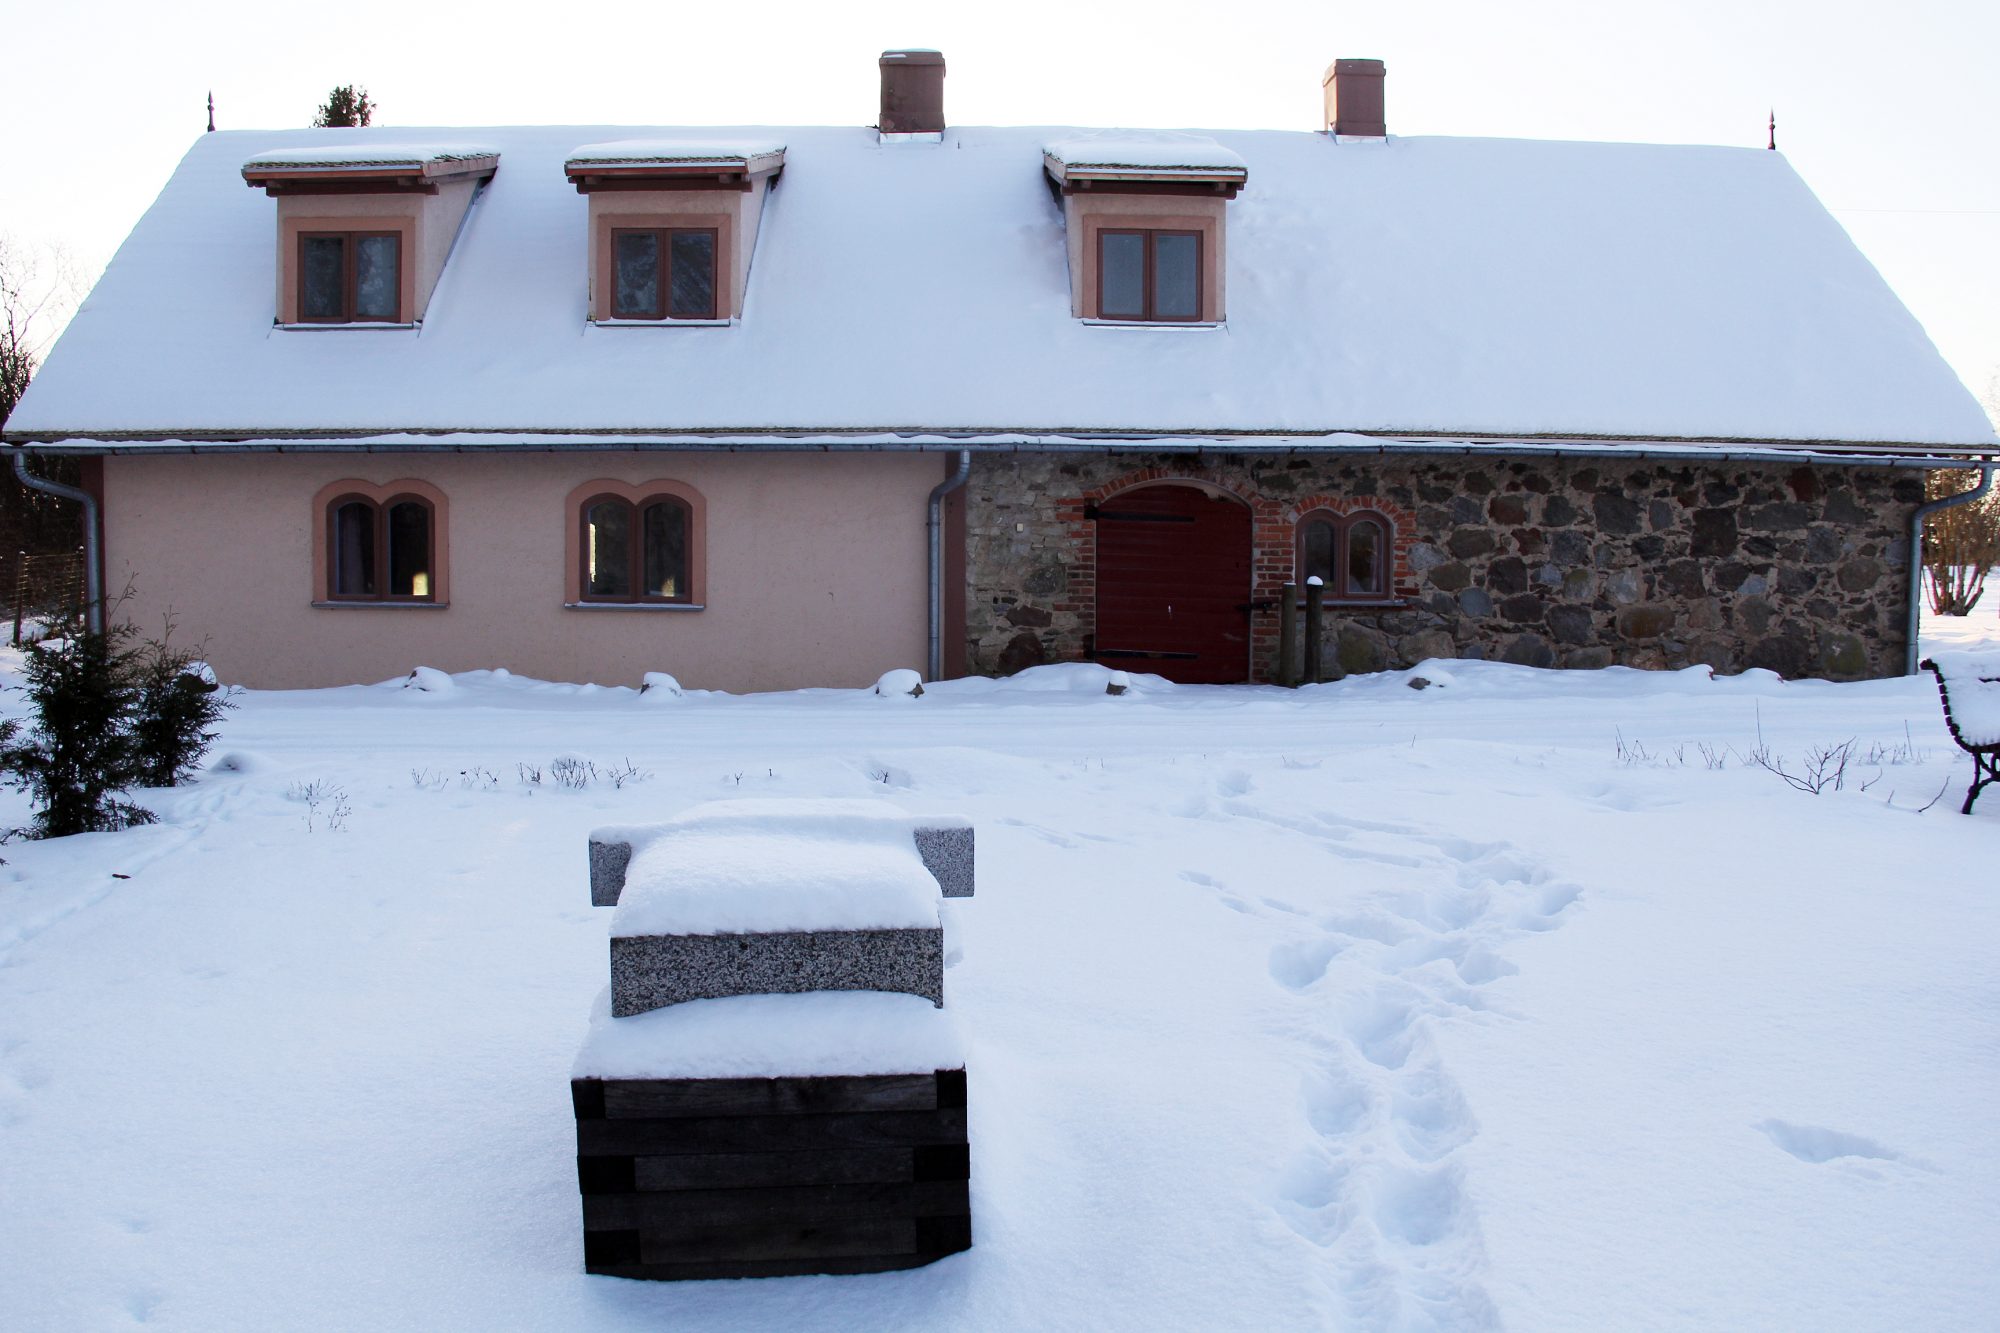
[{"x": 365, "y": 229}]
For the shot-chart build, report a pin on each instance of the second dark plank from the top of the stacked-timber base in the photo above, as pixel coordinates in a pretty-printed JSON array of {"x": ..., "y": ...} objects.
[{"x": 769, "y": 1134}]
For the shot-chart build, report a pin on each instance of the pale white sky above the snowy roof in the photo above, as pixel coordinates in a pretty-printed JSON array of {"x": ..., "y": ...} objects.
[{"x": 1889, "y": 117}]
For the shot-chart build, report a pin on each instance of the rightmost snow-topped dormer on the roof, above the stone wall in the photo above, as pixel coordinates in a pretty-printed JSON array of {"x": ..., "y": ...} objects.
[{"x": 1145, "y": 221}]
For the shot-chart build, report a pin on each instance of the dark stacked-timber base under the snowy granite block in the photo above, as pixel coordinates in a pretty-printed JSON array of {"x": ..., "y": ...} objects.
[{"x": 771, "y": 1178}]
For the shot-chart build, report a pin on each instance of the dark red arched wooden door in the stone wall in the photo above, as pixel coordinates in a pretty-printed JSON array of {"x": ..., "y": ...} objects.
[{"x": 1175, "y": 585}]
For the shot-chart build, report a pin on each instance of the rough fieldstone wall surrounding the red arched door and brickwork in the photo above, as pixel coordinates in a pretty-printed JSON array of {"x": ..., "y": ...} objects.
[{"x": 1547, "y": 561}]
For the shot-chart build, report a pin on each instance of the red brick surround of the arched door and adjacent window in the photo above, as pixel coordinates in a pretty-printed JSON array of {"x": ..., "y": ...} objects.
[{"x": 1275, "y": 545}]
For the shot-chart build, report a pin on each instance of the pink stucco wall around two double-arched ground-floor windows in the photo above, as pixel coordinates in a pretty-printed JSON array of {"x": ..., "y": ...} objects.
[{"x": 815, "y": 567}]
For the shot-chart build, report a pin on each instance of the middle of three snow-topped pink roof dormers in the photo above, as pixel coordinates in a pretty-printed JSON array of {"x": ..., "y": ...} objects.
[{"x": 673, "y": 227}]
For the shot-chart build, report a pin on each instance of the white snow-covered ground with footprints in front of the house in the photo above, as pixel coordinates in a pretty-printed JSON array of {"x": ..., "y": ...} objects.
[{"x": 1517, "y": 1002}]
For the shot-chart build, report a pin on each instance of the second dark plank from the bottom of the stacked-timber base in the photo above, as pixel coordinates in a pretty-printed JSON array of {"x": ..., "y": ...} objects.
[{"x": 727, "y": 1208}]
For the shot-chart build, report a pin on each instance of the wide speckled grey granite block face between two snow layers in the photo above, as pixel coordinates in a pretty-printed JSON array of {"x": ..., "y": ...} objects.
[{"x": 653, "y": 972}]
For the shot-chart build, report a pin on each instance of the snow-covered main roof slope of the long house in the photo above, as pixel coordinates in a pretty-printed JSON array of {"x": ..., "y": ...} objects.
[{"x": 1439, "y": 287}]
